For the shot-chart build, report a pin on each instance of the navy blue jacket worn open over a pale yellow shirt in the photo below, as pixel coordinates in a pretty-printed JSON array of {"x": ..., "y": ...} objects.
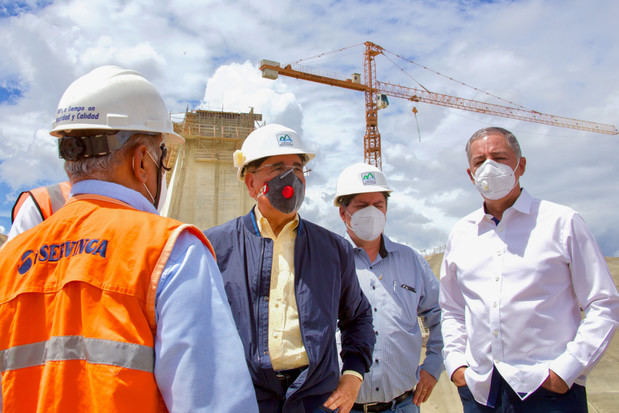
[{"x": 328, "y": 296}]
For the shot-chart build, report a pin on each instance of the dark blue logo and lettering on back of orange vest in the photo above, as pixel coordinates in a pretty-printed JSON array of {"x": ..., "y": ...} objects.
[{"x": 56, "y": 252}]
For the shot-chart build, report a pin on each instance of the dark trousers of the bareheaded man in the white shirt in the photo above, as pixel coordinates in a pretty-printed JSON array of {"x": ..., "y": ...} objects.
[{"x": 541, "y": 401}]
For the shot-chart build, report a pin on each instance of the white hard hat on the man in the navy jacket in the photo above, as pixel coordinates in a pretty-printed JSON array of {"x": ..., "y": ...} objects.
[{"x": 269, "y": 140}]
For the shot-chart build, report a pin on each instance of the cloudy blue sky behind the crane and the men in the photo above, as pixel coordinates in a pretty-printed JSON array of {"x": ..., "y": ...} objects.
[{"x": 556, "y": 57}]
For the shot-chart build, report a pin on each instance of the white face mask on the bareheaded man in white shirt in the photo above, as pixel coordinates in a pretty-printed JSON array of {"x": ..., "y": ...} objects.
[{"x": 495, "y": 180}]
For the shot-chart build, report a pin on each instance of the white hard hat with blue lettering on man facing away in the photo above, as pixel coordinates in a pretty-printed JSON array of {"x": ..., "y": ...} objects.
[{"x": 115, "y": 99}]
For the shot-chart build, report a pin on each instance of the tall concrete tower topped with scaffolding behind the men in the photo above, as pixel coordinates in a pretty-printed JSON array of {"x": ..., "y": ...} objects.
[{"x": 203, "y": 188}]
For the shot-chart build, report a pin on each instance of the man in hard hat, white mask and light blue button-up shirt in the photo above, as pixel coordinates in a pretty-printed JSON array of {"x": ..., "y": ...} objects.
[{"x": 400, "y": 287}]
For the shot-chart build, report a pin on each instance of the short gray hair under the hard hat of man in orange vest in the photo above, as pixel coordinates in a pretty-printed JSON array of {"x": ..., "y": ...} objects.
[{"x": 100, "y": 166}]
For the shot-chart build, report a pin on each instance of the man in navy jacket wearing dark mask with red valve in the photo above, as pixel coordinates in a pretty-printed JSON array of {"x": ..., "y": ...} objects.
[{"x": 290, "y": 283}]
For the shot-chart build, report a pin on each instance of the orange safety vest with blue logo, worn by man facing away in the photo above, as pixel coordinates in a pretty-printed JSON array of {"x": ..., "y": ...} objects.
[{"x": 77, "y": 309}]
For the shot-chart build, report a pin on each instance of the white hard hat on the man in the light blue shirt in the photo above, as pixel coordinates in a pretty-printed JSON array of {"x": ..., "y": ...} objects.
[{"x": 360, "y": 178}]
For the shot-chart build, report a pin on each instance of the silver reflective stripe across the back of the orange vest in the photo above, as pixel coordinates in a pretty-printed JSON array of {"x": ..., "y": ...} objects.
[{"x": 92, "y": 350}]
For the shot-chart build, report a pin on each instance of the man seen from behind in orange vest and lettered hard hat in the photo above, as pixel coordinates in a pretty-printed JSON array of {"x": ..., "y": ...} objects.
[{"x": 106, "y": 306}]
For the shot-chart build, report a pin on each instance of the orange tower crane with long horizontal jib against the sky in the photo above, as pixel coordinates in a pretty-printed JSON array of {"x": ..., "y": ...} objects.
[{"x": 375, "y": 90}]
